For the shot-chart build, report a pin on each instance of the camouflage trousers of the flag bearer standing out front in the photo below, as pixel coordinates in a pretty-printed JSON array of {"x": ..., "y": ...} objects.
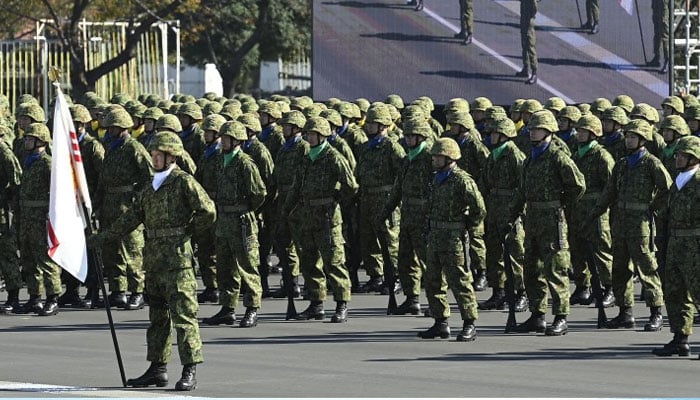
[{"x": 172, "y": 300}]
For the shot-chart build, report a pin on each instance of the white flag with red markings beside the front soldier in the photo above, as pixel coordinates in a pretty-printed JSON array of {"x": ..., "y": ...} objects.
[{"x": 69, "y": 193}]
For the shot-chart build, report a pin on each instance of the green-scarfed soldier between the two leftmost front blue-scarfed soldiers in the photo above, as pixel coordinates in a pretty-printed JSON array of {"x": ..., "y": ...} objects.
[{"x": 501, "y": 180}]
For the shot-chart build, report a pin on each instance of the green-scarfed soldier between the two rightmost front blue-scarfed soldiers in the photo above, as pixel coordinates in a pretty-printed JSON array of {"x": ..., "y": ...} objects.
[{"x": 596, "y": 165}]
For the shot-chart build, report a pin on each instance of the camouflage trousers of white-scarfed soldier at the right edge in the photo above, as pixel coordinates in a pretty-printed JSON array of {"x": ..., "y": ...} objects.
[{"x": 682, "y": 282}]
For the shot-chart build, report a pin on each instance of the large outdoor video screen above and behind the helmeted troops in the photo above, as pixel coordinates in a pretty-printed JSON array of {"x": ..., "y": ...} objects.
[{"x": 371, "y": 48}]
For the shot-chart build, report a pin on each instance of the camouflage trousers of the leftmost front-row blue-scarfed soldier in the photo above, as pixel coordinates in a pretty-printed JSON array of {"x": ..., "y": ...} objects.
[{"x": 447, "y": 269}]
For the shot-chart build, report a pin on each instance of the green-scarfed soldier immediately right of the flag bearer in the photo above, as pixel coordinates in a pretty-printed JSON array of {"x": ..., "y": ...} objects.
[{"x": 240, "y": 192}]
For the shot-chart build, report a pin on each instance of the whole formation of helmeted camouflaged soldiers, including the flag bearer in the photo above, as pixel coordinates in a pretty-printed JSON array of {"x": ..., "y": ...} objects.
[{"x": 522, "y": 200}]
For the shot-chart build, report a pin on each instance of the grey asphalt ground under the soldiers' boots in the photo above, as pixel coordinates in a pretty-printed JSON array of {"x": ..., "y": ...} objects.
[{"x": 372, "y": 355}]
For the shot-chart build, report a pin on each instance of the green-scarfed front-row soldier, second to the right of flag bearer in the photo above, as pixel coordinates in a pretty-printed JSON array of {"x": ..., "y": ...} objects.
[{"x": 321, "y": 182}]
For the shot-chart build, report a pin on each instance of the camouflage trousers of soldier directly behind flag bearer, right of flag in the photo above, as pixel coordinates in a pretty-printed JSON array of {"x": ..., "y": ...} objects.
[{"x": 123, "y": 260}]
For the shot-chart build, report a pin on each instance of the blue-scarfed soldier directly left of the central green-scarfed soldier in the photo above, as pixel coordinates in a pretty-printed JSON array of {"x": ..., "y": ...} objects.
[{"x": 377, "y": 167}]
